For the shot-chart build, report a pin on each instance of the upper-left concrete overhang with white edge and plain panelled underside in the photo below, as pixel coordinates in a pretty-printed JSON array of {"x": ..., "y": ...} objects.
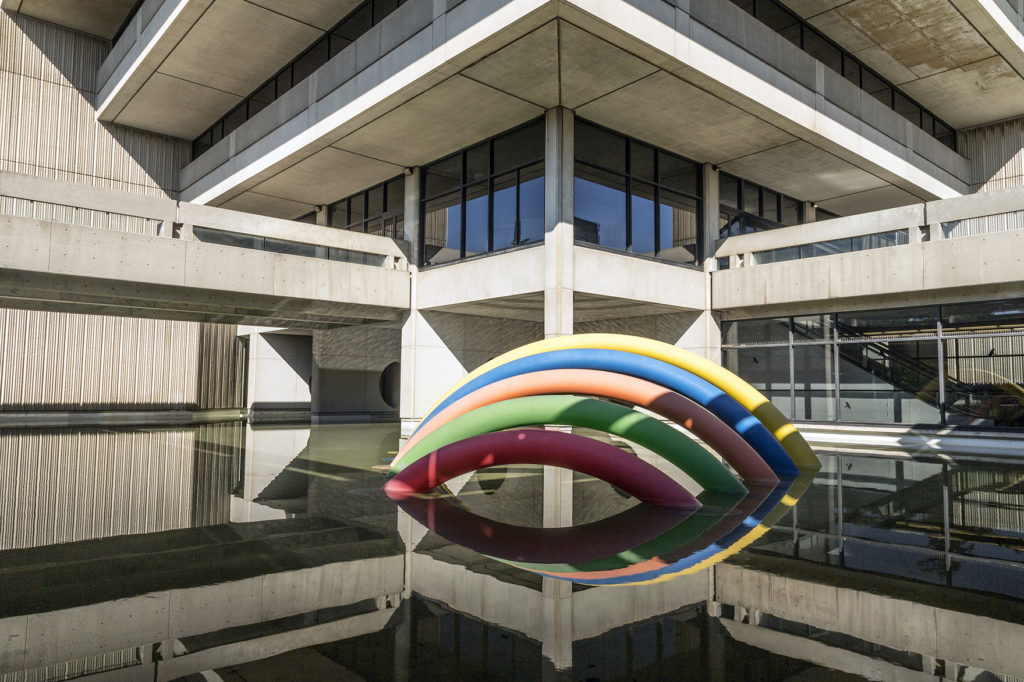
[{"x": 182, "y": 65}]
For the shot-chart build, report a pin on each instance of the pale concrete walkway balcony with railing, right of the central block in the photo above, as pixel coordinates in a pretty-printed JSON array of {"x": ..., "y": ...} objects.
[{"x": 957, "y": 250}]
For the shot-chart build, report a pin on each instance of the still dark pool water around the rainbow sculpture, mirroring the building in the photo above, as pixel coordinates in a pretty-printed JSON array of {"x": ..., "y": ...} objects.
[{"x": 254, "y": 555}]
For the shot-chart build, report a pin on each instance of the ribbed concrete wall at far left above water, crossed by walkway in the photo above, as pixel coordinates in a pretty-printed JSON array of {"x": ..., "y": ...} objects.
[{"x": 59, "y": 362}]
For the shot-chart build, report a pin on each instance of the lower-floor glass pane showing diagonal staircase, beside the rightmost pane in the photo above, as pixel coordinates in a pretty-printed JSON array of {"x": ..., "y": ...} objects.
[{"x": 889, "y": 382}]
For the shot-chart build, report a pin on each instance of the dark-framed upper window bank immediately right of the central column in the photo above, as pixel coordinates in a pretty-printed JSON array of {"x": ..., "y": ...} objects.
[{"x": 633, "y": 197}]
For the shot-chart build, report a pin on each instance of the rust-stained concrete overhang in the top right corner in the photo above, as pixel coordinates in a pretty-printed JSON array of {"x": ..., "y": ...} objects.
[{"x": 963, "y": 60}]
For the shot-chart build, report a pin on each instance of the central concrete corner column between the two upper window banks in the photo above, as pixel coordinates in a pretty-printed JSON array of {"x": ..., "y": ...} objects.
[{"x": 559, "y": 273}]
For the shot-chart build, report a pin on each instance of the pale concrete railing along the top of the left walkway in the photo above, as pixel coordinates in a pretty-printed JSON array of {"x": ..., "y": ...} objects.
[{"x": 99, "y": 207}]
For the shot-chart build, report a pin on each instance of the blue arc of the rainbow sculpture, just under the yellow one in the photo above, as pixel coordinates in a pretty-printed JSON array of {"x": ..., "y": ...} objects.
[{"x": 668, "y": 376}]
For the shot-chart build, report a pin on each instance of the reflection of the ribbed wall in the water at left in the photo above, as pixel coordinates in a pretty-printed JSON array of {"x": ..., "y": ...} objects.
[{"x": 62, "y": 487}]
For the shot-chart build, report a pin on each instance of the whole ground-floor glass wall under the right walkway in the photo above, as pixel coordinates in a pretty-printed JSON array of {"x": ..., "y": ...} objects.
[{"x": 950, "y": 365}]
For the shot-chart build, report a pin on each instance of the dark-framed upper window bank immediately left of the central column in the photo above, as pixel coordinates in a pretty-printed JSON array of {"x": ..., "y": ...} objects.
[{"x": 487, "y": 198}]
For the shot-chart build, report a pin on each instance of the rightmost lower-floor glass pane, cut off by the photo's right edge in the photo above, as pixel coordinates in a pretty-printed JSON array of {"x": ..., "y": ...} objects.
[{"x": 986, "y": 381}]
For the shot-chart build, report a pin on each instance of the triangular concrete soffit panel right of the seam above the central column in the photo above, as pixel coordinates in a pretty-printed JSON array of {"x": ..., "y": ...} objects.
[{"x": 591, "y": 68}]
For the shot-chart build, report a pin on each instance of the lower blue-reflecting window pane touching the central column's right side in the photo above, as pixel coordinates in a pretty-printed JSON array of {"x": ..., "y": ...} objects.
[{"x": 600, "y": 207}]
